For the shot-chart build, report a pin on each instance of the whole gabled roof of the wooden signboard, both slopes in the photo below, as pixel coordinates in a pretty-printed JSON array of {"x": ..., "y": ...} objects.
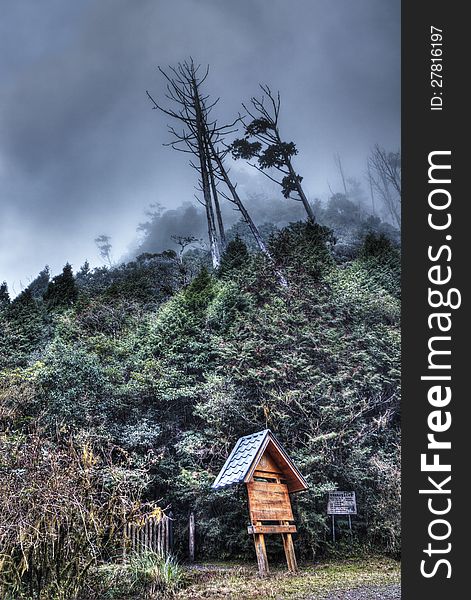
[{"x": 247, "y": 453}]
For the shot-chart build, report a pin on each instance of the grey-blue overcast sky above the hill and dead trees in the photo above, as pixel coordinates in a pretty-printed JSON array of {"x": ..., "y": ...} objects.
[{"x": 81, "y": 150}]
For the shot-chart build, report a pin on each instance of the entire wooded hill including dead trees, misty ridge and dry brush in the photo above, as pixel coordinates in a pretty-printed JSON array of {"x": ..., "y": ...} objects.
[{"x": 123, "y": 388}]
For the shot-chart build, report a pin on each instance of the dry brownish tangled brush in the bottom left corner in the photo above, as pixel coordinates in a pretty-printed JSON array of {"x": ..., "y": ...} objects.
[{"x": 65, "y": 513}]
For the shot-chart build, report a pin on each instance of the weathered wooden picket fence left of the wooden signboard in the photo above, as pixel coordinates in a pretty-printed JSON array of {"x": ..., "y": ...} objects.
[{"x": 154, "y": 534}]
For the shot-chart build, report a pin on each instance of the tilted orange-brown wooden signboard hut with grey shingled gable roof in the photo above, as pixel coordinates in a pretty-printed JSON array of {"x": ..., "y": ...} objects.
[{"x": 270, "y": 476}]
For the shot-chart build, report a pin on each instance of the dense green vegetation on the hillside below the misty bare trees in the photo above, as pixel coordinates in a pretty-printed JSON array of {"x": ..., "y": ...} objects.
[{"x": 146, "y": 374}]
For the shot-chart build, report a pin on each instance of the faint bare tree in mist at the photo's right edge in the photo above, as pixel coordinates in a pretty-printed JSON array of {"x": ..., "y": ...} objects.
[{"x": 384, "y": 172}]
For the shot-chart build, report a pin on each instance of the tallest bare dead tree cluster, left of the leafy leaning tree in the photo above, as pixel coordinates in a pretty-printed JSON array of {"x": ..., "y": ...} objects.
[{"x": 202, "y": 137}]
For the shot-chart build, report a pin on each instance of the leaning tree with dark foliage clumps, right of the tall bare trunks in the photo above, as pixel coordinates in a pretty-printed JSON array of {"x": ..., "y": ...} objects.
[{"x": 263, "y": 141}]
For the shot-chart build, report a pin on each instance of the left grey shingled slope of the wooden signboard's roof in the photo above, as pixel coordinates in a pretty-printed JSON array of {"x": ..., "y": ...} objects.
[{"x": 240, "y": 459}]
